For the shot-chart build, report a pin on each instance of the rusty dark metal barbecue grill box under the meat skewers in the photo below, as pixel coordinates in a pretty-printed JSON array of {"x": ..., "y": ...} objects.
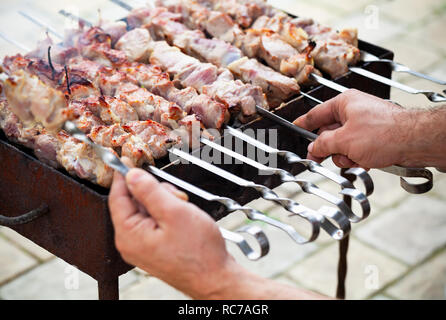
[{"x": 69, "y": 217}]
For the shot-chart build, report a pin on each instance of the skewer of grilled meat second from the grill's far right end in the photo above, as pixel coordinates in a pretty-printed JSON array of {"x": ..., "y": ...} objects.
[{"x": 261, "y": 43}]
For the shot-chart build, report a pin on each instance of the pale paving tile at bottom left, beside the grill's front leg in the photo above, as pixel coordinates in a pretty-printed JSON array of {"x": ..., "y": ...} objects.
[{"x": 48, "y": 281}]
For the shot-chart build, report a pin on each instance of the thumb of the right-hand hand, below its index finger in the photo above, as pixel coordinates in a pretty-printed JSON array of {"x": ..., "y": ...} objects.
[{"x": 327, "y": 144}]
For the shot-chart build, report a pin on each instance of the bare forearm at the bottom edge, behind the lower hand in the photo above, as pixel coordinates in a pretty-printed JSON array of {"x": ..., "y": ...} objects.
[{"x": 236, "y": 283}]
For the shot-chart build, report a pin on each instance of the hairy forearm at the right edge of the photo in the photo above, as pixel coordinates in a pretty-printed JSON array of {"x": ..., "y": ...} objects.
[{"x": 426, "y": 143}]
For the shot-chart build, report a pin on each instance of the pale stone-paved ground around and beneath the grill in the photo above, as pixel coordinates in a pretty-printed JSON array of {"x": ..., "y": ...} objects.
[{"x": 398, "y": 253}]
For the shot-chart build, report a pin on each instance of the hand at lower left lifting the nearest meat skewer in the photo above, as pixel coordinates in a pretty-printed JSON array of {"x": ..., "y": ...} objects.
[{"x": 178, "y": 242}]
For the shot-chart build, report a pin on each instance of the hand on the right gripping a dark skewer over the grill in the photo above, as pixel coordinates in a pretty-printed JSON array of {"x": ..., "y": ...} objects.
[{"x": 359, "y": 129}]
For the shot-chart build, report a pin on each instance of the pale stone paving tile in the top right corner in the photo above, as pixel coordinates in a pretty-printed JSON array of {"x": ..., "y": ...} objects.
[{"x": 409, "y": 11}]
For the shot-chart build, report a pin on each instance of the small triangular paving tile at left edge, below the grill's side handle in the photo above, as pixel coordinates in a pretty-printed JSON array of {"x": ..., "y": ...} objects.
[{"x": 13, "y": 261}]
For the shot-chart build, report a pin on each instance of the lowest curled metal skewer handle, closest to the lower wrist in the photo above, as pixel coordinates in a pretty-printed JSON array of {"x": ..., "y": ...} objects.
[{"x": 243, "y": 245}]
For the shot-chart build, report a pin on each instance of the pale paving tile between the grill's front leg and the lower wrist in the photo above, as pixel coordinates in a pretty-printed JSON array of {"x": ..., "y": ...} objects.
[{"x": 152, "y": 288}]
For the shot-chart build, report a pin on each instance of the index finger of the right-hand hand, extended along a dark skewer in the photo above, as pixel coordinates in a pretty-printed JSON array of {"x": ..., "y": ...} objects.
[{"x": 321, "y": 115}]
